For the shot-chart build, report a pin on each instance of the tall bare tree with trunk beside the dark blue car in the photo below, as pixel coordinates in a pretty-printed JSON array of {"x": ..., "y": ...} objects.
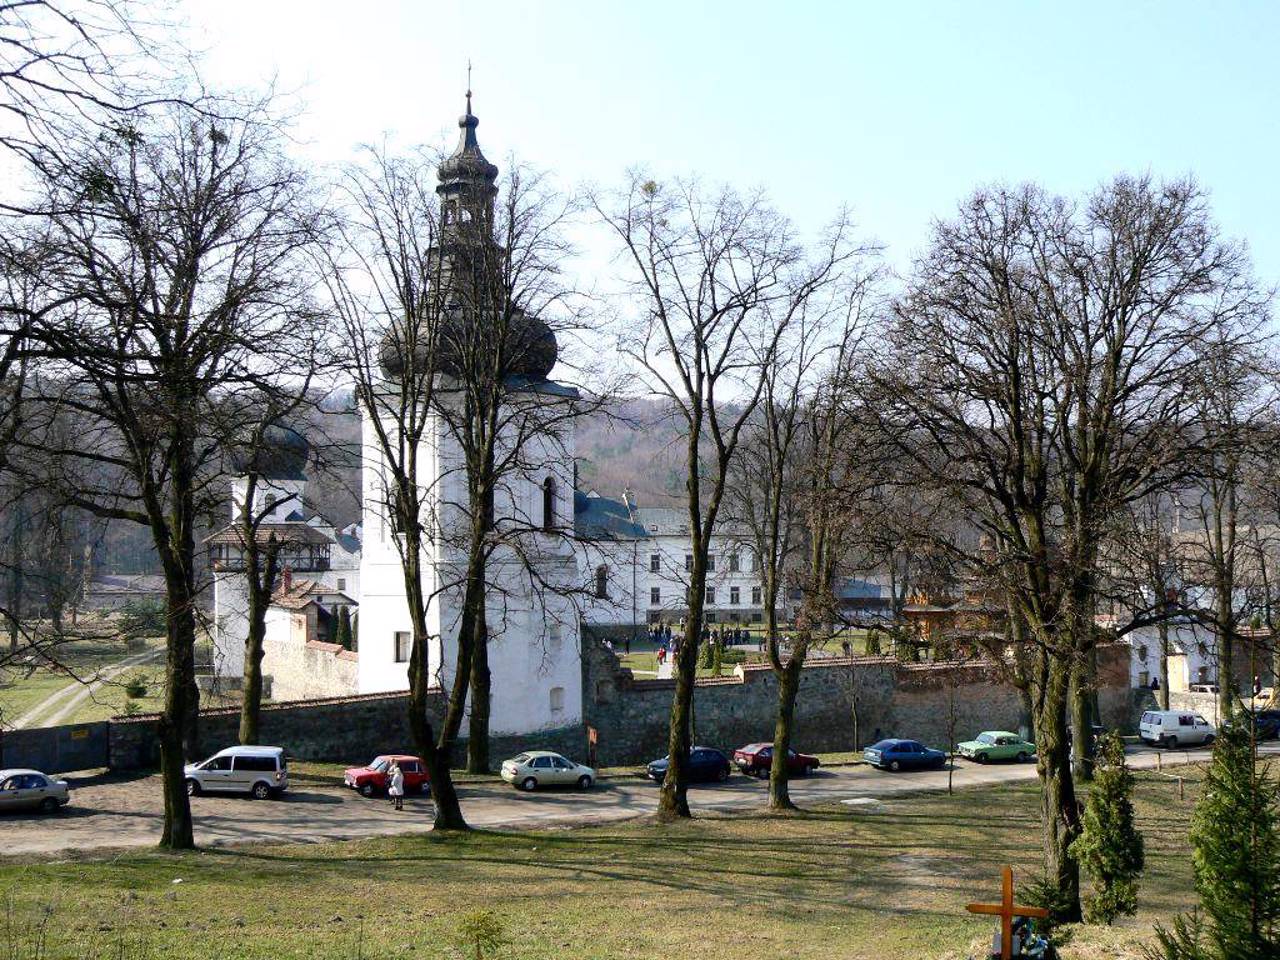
[{"x": 717, "y": 280}]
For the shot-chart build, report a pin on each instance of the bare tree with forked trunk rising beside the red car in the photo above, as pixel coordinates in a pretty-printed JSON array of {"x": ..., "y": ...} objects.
[{"x": 388, "y": 277}]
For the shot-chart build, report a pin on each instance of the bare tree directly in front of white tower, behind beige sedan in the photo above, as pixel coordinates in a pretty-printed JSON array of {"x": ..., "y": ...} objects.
[{"x": 508, "y": 422}]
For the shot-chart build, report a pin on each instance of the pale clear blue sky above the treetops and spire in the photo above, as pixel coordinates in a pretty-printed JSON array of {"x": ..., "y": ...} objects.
[{"x": 897, "y": 109}]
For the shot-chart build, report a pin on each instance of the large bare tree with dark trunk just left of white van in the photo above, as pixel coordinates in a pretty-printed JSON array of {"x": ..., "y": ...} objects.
[{"x": 173, "y": 250}]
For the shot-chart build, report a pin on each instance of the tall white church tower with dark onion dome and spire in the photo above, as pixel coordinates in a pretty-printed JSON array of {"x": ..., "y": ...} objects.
[{"x": 534, "y": 655}]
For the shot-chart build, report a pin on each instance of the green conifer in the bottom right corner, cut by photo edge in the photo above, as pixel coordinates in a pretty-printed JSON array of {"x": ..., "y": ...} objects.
[{"x": 1236, "y": 842}]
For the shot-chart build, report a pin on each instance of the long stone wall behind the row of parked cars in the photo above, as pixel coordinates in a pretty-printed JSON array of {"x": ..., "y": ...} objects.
[{"x": 632, "y": 716}]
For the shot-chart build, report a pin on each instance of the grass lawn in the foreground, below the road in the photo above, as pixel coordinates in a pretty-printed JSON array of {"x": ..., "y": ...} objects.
[{"x": 830, "y": 884}]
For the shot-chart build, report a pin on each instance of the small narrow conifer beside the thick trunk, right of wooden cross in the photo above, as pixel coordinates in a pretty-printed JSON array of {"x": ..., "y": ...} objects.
[{"x": 1110, "y": 848}]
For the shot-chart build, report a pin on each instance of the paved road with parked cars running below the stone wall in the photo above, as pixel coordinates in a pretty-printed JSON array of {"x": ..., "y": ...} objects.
[{"x": 115, "y": 813}]
